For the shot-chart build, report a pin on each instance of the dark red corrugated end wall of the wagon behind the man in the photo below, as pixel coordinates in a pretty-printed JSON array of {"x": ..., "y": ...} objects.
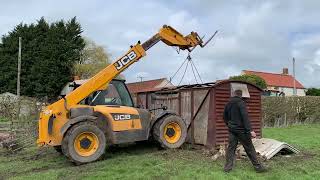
[{"x": 222, "y": 96}]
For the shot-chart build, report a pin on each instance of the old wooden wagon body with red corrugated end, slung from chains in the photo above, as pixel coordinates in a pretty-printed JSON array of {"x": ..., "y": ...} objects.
[{"x": 202, "y": 105}]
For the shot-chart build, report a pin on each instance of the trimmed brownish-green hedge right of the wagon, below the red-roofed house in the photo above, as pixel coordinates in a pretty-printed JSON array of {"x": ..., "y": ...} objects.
[{"x": 283, "y": 111}]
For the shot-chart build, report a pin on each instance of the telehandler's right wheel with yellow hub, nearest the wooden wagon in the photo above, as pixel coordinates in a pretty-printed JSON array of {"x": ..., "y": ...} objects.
[{"x": 170, "y": 131}]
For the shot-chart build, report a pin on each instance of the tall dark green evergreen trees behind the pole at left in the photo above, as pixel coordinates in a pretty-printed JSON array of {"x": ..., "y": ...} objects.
[{"x": 49, "y": 52}]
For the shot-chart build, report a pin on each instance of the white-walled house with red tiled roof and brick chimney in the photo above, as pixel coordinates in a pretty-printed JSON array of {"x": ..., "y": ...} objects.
[{"x": 280, "y": 83}]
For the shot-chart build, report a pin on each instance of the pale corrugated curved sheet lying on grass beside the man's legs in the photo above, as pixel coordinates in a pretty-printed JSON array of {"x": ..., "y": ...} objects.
[{"x": 267, "y": 148}]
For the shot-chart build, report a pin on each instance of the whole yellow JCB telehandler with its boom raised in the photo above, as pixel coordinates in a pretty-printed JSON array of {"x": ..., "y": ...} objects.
[{"x": 100, "y": 112}]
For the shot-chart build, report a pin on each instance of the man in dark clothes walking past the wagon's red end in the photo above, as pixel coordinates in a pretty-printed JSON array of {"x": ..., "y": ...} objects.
[{"x": 236, "y": 118}]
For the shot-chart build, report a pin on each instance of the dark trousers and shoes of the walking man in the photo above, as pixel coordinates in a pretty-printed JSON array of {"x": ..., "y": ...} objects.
[{"x": 245, "y": 140}]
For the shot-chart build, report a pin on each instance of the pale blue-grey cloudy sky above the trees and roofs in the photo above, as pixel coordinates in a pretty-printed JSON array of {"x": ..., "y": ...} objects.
[{"x": 254, "y": 35}]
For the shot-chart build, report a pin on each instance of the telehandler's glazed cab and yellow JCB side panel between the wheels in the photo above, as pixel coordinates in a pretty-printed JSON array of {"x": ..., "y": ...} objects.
[{"x": 126, "y": 121}]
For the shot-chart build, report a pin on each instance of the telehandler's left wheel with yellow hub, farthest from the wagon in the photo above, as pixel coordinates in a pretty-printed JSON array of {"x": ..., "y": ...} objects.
[{"x": 84, "y": 143}]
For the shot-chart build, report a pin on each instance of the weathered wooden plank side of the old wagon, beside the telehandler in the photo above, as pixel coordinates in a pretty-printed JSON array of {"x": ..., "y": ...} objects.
[{"x": 174, "y": 100}]
